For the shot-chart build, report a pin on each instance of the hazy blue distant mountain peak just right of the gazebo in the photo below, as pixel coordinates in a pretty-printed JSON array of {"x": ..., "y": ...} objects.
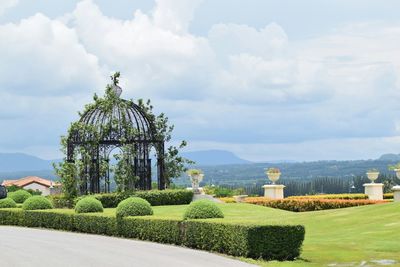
[{"x": 214, "y": 157}]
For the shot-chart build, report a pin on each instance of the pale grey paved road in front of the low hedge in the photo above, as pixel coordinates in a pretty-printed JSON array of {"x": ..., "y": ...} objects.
[{"x": 22, "y": 247}]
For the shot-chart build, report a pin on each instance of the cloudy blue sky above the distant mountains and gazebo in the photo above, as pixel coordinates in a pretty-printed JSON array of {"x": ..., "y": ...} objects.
[{"x": 266, "y": 79}]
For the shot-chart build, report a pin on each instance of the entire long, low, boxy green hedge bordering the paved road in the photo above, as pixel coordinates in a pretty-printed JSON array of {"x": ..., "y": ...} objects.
[{"x": 270, "y": 242}]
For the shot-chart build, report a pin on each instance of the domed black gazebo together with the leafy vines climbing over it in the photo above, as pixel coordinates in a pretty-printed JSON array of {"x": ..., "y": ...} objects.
[{"x": 111, "y": 124}]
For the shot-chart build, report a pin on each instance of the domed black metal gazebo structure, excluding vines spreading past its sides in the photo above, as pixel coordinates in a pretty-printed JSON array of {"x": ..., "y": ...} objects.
[{"x": 116, "y": 123}]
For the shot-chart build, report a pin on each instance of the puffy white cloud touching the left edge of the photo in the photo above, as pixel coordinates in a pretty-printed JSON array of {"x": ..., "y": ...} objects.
[{"x": 40, "y": 56}]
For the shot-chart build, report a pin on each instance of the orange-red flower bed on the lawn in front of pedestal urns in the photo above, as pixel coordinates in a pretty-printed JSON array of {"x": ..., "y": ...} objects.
[{"x": 301, "y": 205}]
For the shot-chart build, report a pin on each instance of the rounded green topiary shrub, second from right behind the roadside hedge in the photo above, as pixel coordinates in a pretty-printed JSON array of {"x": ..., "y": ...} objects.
[{"x": 134, "y": 206}]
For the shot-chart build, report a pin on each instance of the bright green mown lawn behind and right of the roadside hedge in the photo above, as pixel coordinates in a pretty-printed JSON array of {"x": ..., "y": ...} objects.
[{"x": 344, "y": 236}]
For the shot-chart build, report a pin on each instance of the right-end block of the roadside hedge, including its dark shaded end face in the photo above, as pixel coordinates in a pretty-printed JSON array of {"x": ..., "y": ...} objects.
[{"x": 270, "y": 242}]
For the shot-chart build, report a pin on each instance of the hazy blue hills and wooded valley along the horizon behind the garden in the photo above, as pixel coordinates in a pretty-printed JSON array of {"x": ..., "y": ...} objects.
[{"x": 220, "y": 167}]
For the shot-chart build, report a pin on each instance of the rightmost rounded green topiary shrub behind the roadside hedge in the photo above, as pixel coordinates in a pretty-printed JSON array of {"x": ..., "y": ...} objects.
[{"x": 203, "y": 209}]
